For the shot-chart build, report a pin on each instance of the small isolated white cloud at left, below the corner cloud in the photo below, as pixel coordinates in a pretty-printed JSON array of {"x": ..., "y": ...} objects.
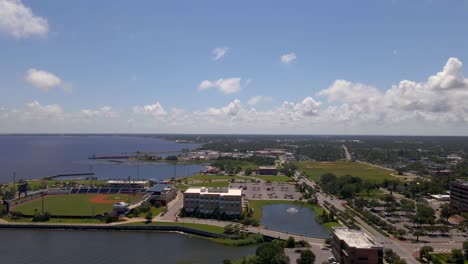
[{"x": 45, "y": 80}]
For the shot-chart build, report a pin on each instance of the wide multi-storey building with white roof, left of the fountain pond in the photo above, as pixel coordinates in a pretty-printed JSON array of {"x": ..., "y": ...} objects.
[{"x": 213, "y": 200}]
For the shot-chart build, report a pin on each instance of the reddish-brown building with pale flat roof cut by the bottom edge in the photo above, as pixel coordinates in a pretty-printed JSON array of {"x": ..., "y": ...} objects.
[{"x": 355, "y": 247}]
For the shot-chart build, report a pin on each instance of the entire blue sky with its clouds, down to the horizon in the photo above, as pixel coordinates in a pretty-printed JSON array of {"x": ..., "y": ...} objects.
[{"x": 124, "y": 56}]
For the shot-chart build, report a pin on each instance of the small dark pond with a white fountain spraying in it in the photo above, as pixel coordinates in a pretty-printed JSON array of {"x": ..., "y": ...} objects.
[{"x": 299, "y": 220}]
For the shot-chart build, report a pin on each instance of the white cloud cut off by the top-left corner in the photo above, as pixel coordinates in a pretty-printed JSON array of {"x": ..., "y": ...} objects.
[{"x": 18, "y": 20}]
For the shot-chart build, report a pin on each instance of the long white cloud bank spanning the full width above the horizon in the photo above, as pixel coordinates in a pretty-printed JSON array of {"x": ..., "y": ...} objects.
[{"x": 435, "y": 106}]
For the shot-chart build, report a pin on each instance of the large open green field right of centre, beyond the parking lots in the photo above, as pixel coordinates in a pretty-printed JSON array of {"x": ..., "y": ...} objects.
[{"x": 315, "y": 169}]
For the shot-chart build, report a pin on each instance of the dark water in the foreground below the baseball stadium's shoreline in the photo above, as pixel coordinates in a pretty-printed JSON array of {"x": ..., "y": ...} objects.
[{"x": 70, "y": 247}]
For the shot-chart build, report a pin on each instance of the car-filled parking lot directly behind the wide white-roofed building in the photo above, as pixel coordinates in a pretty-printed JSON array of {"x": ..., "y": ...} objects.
[{"x": 268, "y": 191}]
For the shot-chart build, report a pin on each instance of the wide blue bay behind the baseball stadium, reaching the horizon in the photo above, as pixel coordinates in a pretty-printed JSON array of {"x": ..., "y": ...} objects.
[{"x": 38, "y": 156}]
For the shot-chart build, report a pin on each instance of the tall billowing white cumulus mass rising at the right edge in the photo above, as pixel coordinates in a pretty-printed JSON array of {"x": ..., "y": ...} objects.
[{"x": 442, "y": 98}]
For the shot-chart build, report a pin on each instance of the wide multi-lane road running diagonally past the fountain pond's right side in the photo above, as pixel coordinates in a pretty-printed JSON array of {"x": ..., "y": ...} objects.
[{"x": 404, "y": 250}]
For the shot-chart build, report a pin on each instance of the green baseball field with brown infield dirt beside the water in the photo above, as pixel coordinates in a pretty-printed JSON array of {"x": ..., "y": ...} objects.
[{"x": 76, "y": 204}]
